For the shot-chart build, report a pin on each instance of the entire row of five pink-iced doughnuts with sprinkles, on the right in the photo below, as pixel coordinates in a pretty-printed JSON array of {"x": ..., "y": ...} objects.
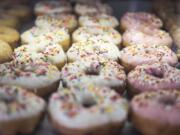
[{"x": 153, "y": 80}]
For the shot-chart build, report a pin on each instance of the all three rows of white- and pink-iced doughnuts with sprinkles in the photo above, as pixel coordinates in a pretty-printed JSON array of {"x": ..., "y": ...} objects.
[{"x": 90, "y": 71}]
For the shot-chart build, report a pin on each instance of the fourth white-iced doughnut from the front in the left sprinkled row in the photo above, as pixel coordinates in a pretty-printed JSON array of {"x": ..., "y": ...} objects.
[{"x": 37, "y": 35}]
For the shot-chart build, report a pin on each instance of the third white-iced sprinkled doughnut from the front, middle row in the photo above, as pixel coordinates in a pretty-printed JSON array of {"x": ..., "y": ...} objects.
[{"x": 80, "y": 50}]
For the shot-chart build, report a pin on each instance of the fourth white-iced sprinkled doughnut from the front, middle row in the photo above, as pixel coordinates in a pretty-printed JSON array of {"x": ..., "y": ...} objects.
[{"x": 97, "y": 34}]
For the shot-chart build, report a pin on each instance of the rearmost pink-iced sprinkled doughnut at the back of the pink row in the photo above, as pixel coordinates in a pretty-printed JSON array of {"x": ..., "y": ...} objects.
[{"x": 132, "y": 20}]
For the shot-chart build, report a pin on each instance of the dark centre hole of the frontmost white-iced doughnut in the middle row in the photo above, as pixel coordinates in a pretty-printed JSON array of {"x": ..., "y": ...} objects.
[{"x": 88, "y": 101}]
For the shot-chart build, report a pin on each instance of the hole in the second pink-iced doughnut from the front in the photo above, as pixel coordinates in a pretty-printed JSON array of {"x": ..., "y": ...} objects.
[{"x": 155, "y": 72}]
